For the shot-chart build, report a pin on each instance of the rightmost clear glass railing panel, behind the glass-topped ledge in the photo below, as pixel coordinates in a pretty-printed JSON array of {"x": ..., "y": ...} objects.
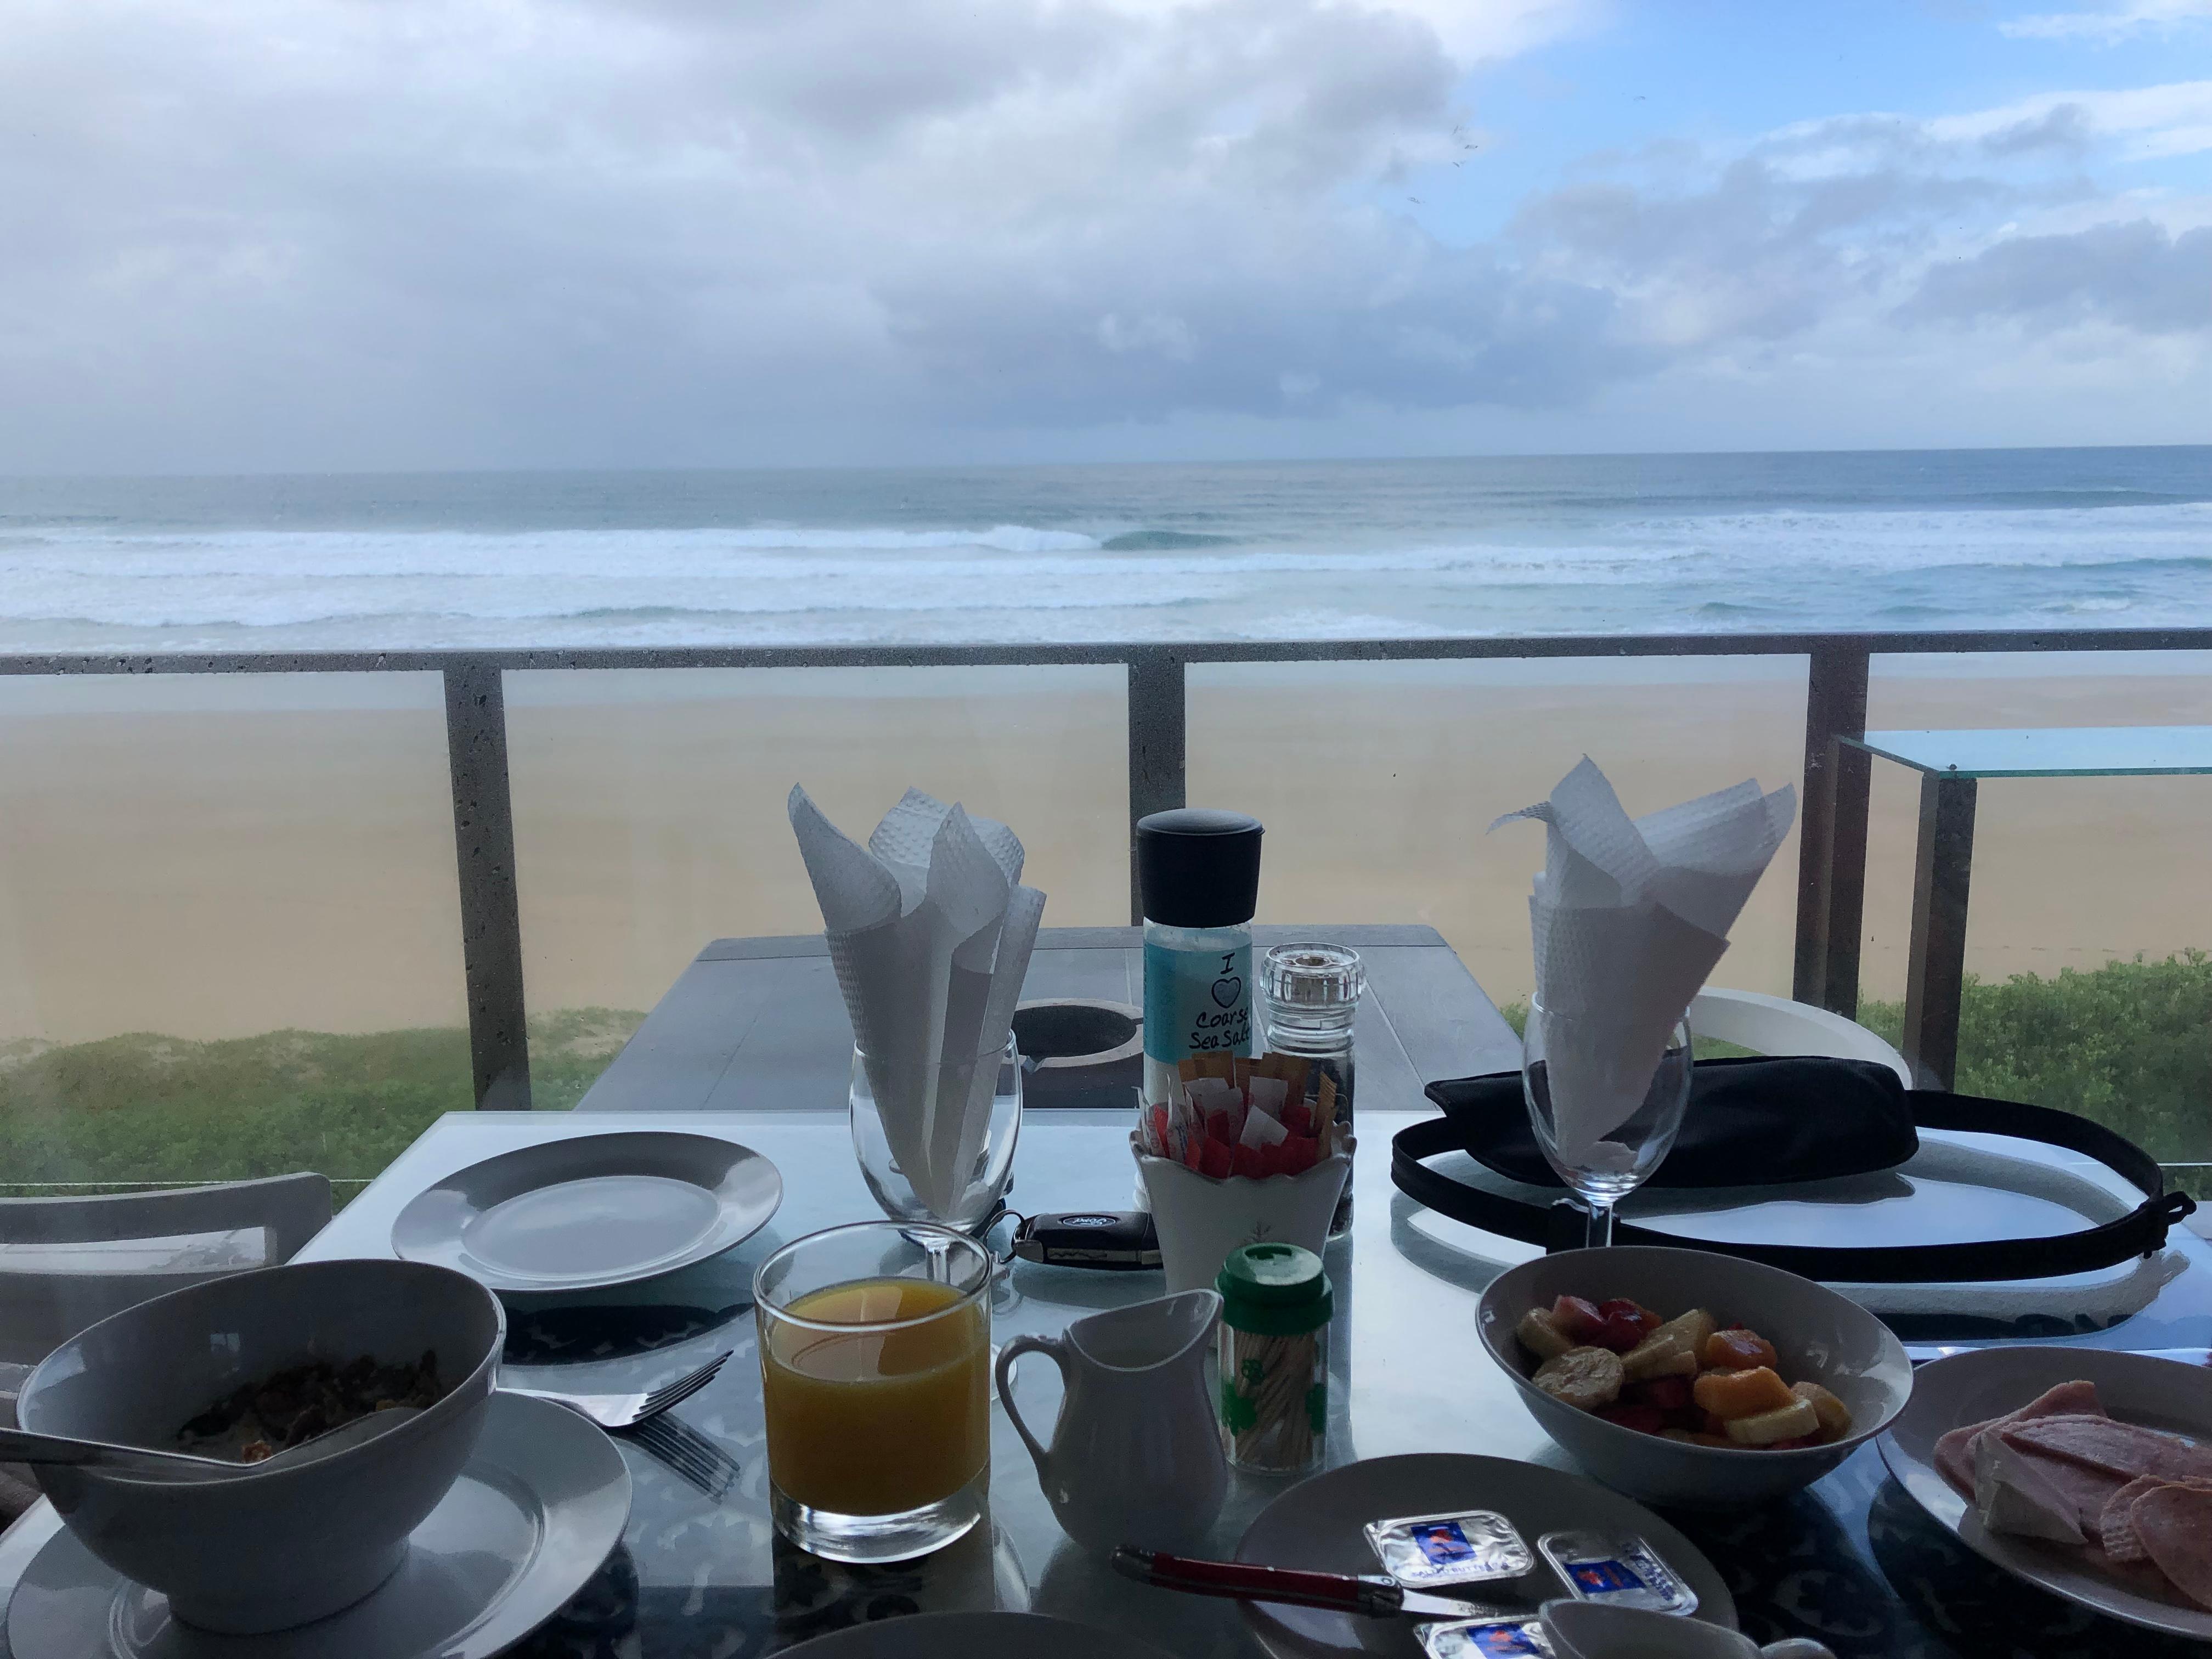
[{"x": 2087, "y": 924}]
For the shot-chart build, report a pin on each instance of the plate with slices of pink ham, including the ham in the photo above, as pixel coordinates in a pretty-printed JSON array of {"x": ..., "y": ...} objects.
[{"x": 2087, "y": 1472}]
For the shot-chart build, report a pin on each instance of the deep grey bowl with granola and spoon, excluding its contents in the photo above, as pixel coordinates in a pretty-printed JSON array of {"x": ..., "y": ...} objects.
[{"x": 271, "y": 1550}]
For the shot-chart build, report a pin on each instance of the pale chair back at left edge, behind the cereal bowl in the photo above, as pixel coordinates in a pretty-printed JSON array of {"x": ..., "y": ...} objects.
[{"x": 67, "y": 1264}]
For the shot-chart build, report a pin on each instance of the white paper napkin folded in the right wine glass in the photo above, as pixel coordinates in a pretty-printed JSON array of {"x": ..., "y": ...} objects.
[{"x": 1629, "y": 919}]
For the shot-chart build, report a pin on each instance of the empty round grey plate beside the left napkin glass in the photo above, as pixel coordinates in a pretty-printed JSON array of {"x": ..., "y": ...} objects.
[{"x": 592, "y": 1211}]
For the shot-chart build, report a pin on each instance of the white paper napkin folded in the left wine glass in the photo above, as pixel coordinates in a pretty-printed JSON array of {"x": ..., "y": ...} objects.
[{"x": 930, "y": 930}]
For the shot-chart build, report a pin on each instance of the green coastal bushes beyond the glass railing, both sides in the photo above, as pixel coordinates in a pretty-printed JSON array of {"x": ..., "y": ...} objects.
[{"x": 2129, "y": 1045}]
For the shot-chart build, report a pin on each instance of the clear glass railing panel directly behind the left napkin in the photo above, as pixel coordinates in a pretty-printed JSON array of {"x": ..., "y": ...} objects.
[{"x": 651, "y": 813}]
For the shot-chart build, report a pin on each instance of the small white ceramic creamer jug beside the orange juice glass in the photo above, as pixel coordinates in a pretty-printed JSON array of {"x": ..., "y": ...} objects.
[{"x": 1136, "y": 1454}]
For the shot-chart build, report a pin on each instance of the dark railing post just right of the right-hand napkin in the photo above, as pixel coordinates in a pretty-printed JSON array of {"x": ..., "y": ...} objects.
[{"x": 1833, "y": 831}]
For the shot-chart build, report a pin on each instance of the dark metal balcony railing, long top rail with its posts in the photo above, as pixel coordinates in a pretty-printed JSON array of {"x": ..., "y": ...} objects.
[{"x": 1833, "y": 853}]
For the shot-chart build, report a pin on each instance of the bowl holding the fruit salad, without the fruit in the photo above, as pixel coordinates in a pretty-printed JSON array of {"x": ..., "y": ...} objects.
[{"x": 1817, "y": 1335}]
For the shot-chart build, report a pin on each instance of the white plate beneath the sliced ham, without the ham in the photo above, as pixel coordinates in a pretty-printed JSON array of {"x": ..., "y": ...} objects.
[{"x": 1992, "y": 1381}]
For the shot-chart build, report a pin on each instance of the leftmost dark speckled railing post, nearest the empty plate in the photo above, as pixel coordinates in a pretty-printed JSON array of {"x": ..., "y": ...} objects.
[{"x": 490, "y": 906}]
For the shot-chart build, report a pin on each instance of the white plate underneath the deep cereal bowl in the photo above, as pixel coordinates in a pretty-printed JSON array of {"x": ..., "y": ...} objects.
[{"x": 532, "y": 1519}]
